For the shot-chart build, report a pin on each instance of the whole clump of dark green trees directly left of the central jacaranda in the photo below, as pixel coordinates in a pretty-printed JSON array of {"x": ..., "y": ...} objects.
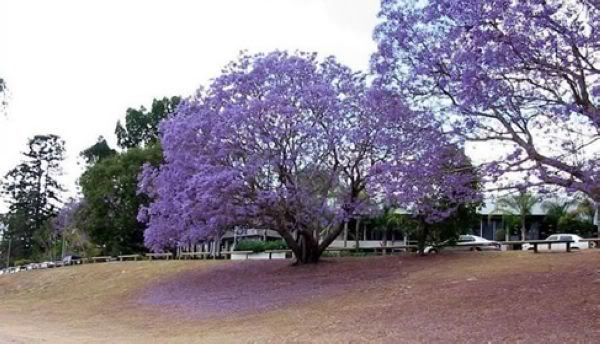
[{"x": 107, "y": 222}]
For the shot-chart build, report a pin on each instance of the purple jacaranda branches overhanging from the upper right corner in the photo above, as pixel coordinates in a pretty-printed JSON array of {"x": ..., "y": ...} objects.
[{"x": 524, "y": 74}]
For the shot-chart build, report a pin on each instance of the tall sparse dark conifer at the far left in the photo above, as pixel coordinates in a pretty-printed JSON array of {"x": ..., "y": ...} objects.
[{"x": 33, "y": 193}]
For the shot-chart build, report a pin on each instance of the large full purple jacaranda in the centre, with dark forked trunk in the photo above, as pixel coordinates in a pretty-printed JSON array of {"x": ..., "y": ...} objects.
[{"x": 287, "y": 142}]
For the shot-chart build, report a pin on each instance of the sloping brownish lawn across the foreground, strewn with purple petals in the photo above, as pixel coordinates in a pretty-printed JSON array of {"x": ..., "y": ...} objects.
[{"x": 471, "y": 297}]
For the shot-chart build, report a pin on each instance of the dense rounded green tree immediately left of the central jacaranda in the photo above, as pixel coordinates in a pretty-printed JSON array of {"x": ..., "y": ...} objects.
[{"x": 110, "y": 191}]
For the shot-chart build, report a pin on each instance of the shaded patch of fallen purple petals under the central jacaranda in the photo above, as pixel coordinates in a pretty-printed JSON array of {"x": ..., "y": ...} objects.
[{"x": 240, "y": 288}]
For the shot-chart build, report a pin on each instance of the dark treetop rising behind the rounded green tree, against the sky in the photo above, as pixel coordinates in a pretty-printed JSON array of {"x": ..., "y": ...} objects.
[{"x": 141, "y": 125}]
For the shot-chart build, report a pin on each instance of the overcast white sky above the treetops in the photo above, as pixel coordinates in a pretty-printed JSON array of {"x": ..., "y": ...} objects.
[{"x": 74, "y": 67}]
